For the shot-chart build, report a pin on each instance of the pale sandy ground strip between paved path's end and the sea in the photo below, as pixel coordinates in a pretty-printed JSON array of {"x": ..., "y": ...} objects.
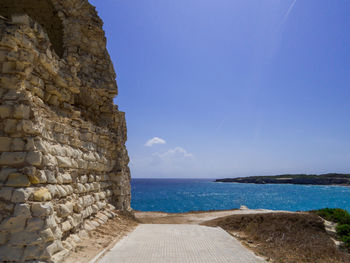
[{"x": 192, "y": 217}]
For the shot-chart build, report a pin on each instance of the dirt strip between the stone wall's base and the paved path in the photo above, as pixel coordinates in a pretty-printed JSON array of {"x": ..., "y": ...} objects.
[{"x": 105, "y": 236}]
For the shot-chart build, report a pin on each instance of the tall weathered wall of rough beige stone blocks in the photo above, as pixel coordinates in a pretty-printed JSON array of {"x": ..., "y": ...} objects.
[{"x": 64, "y": 165}]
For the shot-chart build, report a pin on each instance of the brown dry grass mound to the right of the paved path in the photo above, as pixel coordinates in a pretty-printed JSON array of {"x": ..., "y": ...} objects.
[{"x": 284, "y": 237}]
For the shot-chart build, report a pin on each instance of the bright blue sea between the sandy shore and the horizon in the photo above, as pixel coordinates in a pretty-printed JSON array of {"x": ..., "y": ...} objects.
[{"x": 183, "y": 195}]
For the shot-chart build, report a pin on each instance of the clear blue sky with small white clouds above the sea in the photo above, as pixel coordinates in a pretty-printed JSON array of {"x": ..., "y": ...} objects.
[{"x": 232, "y": 87}]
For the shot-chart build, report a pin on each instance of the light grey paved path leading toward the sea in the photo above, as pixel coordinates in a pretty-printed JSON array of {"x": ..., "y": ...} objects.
[{"x": 179, "y": 243}]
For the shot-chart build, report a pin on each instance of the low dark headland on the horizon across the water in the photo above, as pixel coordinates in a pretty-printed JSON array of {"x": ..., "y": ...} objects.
[{"x": 310, "y": 179}]
